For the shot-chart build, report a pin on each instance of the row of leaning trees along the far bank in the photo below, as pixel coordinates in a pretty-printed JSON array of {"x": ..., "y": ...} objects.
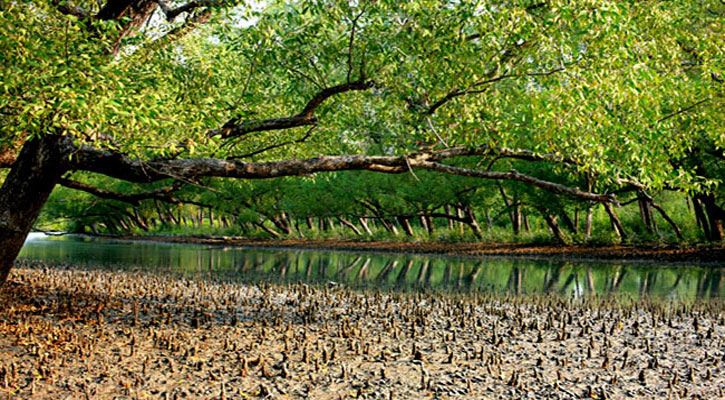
[{"x": 368, "y": 206}]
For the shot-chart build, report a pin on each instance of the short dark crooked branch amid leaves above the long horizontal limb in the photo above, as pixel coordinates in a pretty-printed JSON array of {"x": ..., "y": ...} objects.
[{"x": 235, "y": 128}]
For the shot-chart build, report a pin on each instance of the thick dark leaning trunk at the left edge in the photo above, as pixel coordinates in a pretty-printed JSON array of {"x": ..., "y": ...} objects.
[{"x": 25, "y": 190}]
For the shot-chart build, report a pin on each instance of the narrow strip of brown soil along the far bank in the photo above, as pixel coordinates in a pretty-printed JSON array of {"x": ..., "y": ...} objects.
[{"x": 704, "y": 254}]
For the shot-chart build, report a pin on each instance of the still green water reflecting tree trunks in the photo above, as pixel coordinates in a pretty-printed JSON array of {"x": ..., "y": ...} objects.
[{"x": 387, "y": 271}]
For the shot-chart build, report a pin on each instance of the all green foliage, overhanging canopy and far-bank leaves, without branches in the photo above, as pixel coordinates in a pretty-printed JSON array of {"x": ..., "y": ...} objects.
[{"x": 623, "y": 92}]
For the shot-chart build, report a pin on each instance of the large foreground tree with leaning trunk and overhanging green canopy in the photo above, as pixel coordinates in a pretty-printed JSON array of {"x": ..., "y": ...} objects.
[{"x": 397, "y": 86}]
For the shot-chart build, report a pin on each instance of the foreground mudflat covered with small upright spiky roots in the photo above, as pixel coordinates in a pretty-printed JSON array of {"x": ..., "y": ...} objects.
[{"x": 67, "y": 333}]
